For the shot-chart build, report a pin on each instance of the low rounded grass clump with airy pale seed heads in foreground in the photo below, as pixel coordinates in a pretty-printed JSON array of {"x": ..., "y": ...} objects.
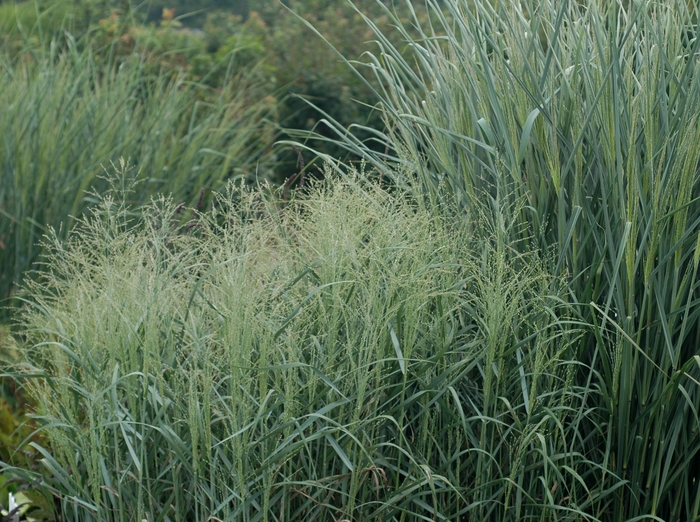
[{"x": 344, "y": 355}]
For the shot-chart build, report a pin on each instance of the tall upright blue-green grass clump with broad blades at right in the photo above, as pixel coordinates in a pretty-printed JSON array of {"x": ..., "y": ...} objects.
[{"x": 589, "y": 112}]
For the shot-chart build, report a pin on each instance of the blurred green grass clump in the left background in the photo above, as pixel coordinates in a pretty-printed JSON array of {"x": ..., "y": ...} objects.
[{"x": 66, "y": 113}]
